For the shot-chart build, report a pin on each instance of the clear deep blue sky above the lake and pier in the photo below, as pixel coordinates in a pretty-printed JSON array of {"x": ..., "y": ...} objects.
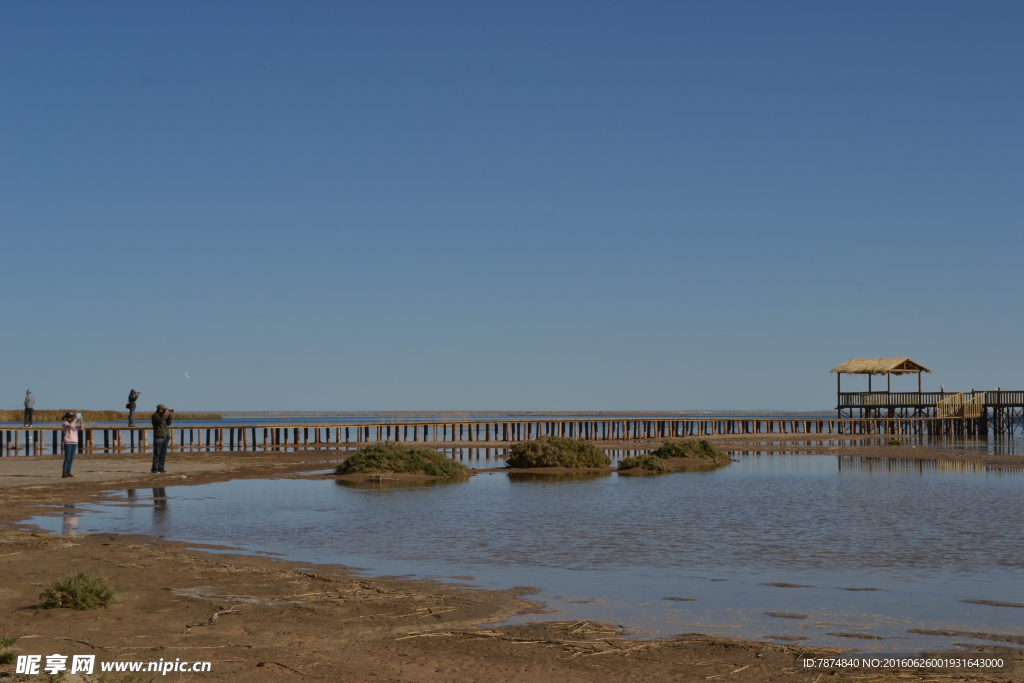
[{"x": 506, "y": 206}]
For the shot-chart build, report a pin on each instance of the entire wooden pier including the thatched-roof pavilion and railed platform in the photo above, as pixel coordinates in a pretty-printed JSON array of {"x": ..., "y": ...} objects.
[{"x": 928, "y": 414}]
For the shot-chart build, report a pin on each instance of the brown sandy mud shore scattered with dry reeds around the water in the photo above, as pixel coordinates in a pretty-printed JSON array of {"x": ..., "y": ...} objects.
[{"x": 280, "y": 620}]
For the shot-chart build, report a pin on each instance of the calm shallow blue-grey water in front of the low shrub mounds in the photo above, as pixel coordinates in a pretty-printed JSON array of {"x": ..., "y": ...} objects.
[{"x": 613, "y": 548}]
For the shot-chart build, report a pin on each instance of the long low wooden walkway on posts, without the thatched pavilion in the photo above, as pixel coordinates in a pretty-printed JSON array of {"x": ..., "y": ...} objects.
[{"x": 221, "y": 438}]
